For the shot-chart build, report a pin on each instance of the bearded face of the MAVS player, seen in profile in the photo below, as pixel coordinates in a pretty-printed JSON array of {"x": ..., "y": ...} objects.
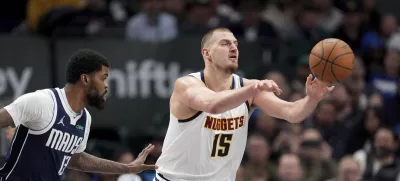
[{"x": 97, "y": 90}]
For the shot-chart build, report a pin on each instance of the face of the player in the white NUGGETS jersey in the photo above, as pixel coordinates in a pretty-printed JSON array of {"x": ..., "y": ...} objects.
[{"x": 224, "y": 51}]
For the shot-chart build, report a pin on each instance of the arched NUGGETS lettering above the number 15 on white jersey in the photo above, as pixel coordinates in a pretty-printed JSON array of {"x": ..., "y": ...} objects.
[{"x": 223, "y": 124}]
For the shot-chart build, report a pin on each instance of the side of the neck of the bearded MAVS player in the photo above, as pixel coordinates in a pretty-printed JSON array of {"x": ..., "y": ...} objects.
[{"x": 75, "y": 97}]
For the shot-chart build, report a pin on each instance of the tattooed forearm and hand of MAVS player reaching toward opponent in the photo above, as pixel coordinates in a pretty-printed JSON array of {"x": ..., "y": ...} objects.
[{"x": 88, "y": 163}]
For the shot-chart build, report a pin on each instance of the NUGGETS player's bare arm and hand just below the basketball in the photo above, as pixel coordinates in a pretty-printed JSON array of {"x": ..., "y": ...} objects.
[{"x": 293, "y": 112}]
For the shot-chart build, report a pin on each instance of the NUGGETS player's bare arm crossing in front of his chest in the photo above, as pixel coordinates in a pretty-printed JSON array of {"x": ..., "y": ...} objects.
[{"x": 194, "y": 94}]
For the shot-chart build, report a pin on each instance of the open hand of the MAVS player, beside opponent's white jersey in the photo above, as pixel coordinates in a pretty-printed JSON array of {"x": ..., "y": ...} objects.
[{"x": 138, "y": 165}]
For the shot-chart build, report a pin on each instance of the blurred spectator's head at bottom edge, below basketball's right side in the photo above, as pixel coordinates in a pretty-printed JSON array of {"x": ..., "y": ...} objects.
[{"x": 349, "y": 170}]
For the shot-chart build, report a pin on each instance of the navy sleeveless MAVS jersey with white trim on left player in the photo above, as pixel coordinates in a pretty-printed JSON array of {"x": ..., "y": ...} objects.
[{"x": 43, "y": 155}]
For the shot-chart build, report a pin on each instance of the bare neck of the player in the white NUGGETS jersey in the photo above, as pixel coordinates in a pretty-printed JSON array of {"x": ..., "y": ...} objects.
[{"x": 217, "y": 80}]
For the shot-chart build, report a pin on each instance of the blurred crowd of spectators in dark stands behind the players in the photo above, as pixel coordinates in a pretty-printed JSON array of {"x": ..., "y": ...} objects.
[{"x": 353, "y": 134}]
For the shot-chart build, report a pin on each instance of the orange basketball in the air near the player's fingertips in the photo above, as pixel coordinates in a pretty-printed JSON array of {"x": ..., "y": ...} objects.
[{"x": 331, "y": 60}]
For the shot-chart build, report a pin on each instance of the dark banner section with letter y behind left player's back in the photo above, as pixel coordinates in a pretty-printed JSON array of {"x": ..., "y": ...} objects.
[{"x": 24, "y": 67}]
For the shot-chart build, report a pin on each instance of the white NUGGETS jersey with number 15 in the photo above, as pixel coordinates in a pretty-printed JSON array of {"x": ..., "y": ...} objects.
[{"x": 205, "y": 147}]
